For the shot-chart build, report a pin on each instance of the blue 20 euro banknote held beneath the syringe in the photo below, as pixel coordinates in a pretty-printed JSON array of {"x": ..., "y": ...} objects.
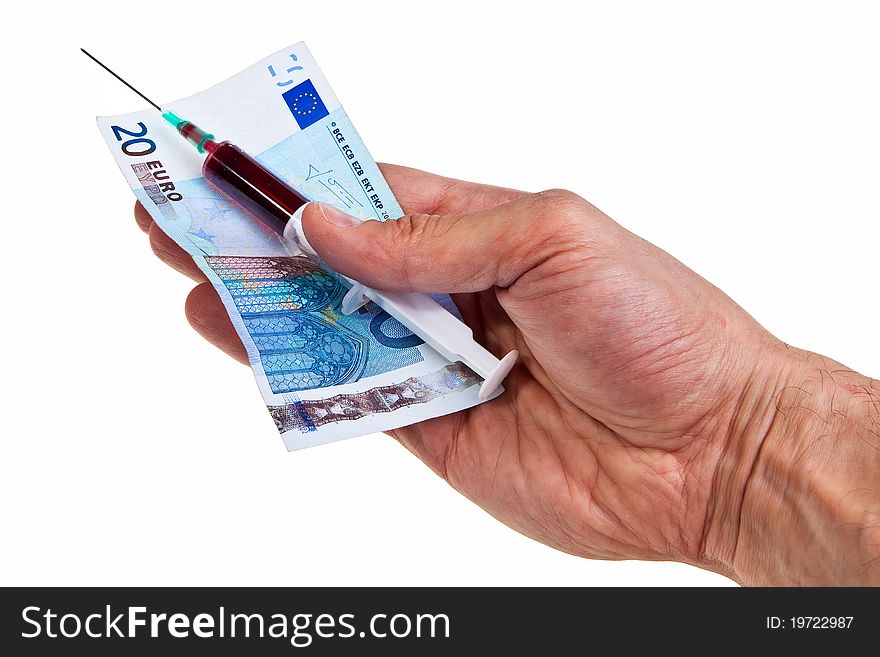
[{"x": 323, "y": 375}]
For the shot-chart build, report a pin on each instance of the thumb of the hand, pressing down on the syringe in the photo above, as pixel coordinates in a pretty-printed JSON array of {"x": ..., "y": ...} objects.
[{"x": 466, "y": 252}]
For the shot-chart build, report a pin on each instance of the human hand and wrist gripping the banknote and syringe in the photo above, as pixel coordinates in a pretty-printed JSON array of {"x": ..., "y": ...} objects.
[{"x": 649, "y": 417}]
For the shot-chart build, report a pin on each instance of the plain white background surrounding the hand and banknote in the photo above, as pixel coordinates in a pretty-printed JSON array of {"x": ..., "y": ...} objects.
[{"x": 743, "y": 140}]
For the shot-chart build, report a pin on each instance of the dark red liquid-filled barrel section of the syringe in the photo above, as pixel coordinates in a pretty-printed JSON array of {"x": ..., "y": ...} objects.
[{"x": 251, "y": 185}]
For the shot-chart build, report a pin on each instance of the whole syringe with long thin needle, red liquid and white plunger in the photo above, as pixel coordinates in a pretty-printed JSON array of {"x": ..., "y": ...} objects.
[{"x": 279, "y": 206}]
